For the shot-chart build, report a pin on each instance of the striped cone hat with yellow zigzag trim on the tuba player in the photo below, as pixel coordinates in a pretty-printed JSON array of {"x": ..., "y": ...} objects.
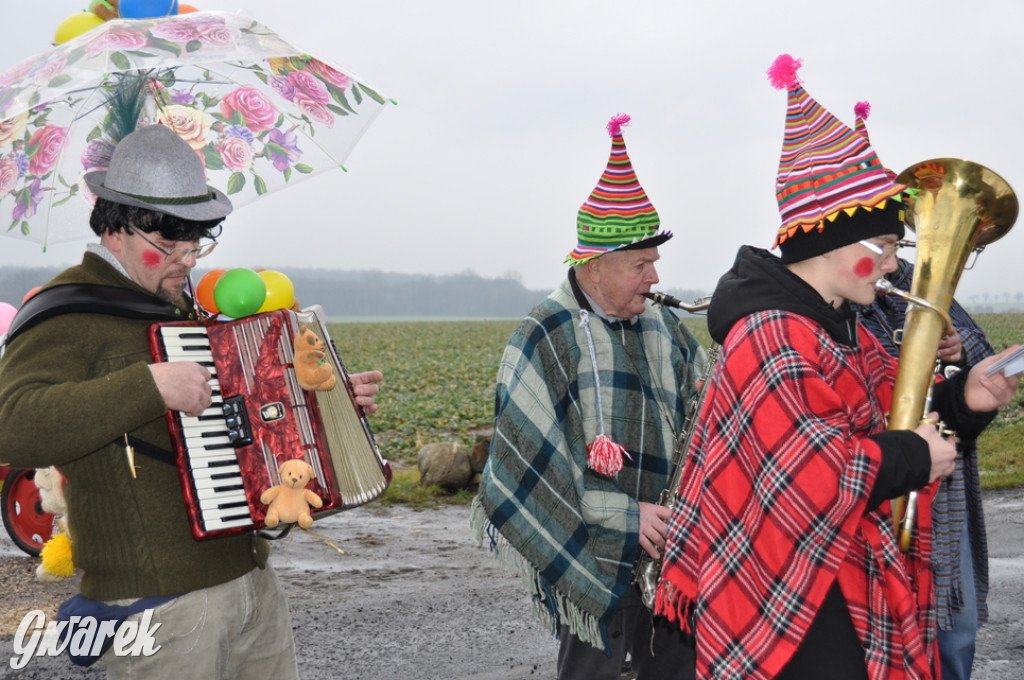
[{"x": 827, "y": 169}]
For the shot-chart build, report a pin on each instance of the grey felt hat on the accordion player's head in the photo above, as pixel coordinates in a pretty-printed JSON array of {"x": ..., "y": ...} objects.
[{"x": 155, "y": 168}]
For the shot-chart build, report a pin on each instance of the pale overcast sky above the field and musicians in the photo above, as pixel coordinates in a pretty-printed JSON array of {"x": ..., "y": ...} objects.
[{"x": 499, "y": 134}]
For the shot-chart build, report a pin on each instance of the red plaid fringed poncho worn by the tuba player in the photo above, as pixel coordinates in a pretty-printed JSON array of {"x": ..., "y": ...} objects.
[{"x": 773, "y": 509}]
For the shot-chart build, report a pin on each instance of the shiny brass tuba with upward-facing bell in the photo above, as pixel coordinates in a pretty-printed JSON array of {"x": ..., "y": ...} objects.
[{"x": 958, "y": 207}]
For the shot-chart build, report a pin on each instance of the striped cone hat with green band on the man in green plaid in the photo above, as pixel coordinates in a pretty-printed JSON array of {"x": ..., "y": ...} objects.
[{"x": 618, "y": 215}]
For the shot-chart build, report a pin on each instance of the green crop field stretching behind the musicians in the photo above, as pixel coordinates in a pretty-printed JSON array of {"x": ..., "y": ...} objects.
[{"x": 440, "y": 384}]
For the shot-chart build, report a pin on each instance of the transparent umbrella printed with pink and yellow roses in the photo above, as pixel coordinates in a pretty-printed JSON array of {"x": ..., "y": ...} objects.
[{"x": 261, "y": 113}]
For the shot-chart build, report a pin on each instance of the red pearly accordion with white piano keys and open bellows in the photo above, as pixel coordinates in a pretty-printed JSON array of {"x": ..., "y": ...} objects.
[{"x": 261, "y": 417}]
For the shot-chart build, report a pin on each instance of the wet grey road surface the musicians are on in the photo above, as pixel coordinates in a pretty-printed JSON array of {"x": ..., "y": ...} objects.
[{"x": 413, "y": 598}]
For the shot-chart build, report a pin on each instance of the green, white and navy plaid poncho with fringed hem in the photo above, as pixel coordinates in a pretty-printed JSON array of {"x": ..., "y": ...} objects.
[{"x": 569, "y": 532}]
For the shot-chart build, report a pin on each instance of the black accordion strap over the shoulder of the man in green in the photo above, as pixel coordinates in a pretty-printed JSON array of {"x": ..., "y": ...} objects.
[{"x": 90, "y": 299}]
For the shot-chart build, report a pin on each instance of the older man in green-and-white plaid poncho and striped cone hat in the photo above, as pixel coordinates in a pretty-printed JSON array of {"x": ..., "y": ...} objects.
[{"x": 591, "y": 399}]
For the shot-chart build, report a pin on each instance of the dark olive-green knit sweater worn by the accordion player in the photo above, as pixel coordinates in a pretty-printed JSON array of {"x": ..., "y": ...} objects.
[{"x": 70, "y": 390}]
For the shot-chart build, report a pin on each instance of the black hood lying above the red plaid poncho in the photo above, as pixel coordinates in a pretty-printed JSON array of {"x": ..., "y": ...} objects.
[{"x": 759, "y": 281}]
